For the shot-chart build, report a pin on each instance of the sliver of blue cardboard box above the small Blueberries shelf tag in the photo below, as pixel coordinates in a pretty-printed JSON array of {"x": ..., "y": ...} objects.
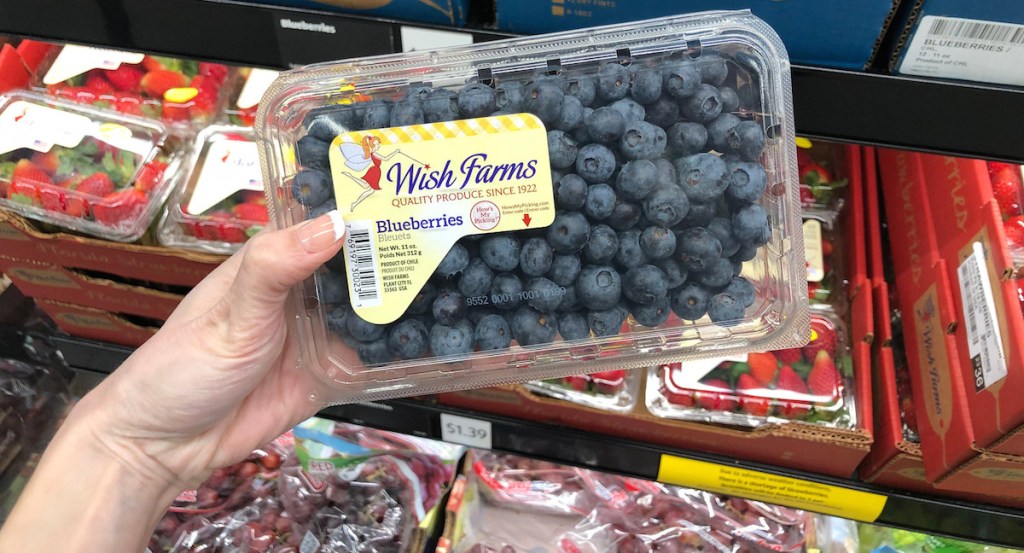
[{"x": 451, "y": 13}]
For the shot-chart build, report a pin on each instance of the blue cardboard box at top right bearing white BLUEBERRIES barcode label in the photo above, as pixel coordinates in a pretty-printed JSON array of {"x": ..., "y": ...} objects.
[{"x": 953, "y": 39}]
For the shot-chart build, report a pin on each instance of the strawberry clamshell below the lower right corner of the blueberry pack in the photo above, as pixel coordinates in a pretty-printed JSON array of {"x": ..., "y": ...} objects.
[{"x": 813, "y": 385}]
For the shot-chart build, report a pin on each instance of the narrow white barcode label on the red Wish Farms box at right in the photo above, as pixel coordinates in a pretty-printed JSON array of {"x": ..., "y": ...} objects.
[{"x": 984, "y": 337}]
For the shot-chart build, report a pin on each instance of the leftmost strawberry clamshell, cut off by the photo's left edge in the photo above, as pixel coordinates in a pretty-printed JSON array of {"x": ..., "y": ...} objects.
[{"x": 81, "y": 168}]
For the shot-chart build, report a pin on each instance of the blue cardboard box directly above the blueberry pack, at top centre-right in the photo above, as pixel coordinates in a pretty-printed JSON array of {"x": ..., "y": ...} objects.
[{"x": 832, "y": 33}]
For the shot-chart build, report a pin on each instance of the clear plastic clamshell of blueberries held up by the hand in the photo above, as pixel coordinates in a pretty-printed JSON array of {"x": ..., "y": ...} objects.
[{"x": 604, "y": 199}]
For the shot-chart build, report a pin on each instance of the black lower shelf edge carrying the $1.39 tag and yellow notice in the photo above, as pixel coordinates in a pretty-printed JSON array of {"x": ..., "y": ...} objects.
[{"x": 932, "y": 516}]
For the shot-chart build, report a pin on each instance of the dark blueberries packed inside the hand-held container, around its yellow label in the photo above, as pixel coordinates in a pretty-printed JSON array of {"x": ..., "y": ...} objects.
[{"x": 657, "y": 183}]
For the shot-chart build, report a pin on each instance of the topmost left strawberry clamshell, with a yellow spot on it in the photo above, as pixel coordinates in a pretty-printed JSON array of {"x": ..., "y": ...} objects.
[{"x": 178, "y": 92}]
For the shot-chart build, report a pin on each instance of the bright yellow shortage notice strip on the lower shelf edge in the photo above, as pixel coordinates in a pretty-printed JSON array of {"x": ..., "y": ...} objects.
[{"x": 757, "y": 486}]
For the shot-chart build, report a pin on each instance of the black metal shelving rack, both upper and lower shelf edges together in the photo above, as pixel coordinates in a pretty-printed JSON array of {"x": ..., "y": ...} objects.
[{"x": 967, "y": 119}]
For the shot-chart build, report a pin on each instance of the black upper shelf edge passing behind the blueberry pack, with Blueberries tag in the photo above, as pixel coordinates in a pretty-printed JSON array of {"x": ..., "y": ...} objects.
[{"x": 967, "y": 119}]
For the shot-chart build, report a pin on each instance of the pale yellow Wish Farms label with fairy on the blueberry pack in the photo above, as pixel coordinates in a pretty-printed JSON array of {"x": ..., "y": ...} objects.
[{"x": 409, "y": 194}]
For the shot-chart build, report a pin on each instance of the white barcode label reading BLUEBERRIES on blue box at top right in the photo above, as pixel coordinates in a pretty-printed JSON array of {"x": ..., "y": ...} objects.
[{"x": 971, "y": 50}]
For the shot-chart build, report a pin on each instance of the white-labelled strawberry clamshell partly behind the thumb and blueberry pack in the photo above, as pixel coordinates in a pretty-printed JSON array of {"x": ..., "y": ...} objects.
[{"x": 220, "y": 202}]
